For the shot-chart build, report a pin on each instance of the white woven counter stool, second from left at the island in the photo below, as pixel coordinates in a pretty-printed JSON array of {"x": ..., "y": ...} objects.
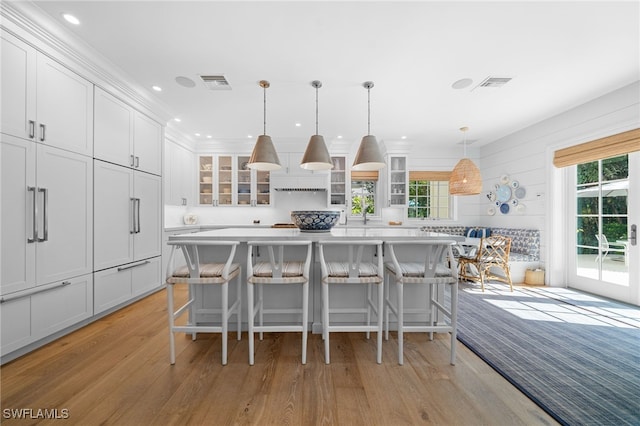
[{"x": 277, "y": 270}]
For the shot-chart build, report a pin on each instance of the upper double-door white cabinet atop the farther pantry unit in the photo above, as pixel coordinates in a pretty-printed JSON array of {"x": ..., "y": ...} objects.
[{"x": 125, "y": 136}]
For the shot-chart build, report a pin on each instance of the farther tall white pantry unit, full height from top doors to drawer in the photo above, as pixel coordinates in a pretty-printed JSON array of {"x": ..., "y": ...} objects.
[{"x": 128, "y": 202}]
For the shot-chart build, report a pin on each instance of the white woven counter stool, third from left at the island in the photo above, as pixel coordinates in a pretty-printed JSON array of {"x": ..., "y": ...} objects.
[{"x": 341, "y": 270}]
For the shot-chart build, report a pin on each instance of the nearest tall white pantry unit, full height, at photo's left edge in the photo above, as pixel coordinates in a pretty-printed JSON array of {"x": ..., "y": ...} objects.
[{"x": 46, "y": 218}]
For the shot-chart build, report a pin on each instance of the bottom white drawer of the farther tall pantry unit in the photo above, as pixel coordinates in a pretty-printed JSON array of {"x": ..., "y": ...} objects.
[{"x": 118, "y": 285}]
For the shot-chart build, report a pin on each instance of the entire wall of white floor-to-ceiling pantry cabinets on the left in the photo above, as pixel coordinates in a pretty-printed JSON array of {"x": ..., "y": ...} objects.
[{"x": 81, "y": 191}]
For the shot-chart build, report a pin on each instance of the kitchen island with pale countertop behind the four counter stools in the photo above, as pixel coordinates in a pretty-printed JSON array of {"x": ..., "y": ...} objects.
[{"x": 209, "y": 297}]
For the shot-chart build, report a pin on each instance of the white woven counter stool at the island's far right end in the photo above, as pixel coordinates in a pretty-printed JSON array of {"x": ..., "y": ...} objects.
[{"x": 436, "y": 269}]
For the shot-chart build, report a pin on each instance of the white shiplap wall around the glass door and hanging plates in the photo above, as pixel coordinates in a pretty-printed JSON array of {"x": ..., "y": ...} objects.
[{"x": 527, "y": 157}]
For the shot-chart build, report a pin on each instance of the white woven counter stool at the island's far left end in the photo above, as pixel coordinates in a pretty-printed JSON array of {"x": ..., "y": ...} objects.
[{"x": 194, "y": 274}]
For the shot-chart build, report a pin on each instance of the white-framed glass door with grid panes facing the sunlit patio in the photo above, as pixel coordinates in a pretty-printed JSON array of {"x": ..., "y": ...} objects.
[{"x": 605, "y": 213}]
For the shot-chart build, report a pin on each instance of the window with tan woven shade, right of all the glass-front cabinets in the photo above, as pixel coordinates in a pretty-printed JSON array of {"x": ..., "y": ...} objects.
[{"x": 429, "y": 195}]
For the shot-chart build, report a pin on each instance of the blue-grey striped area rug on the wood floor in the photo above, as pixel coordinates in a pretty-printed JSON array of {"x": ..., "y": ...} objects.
[{"x": 575, "y": 355}]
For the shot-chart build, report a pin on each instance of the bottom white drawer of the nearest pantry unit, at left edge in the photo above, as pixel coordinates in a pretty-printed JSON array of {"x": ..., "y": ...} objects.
[{"x": 26, "y": 318}]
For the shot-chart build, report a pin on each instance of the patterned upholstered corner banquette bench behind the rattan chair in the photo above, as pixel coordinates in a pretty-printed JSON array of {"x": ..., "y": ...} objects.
[{"x": 525, "y": 245}]
